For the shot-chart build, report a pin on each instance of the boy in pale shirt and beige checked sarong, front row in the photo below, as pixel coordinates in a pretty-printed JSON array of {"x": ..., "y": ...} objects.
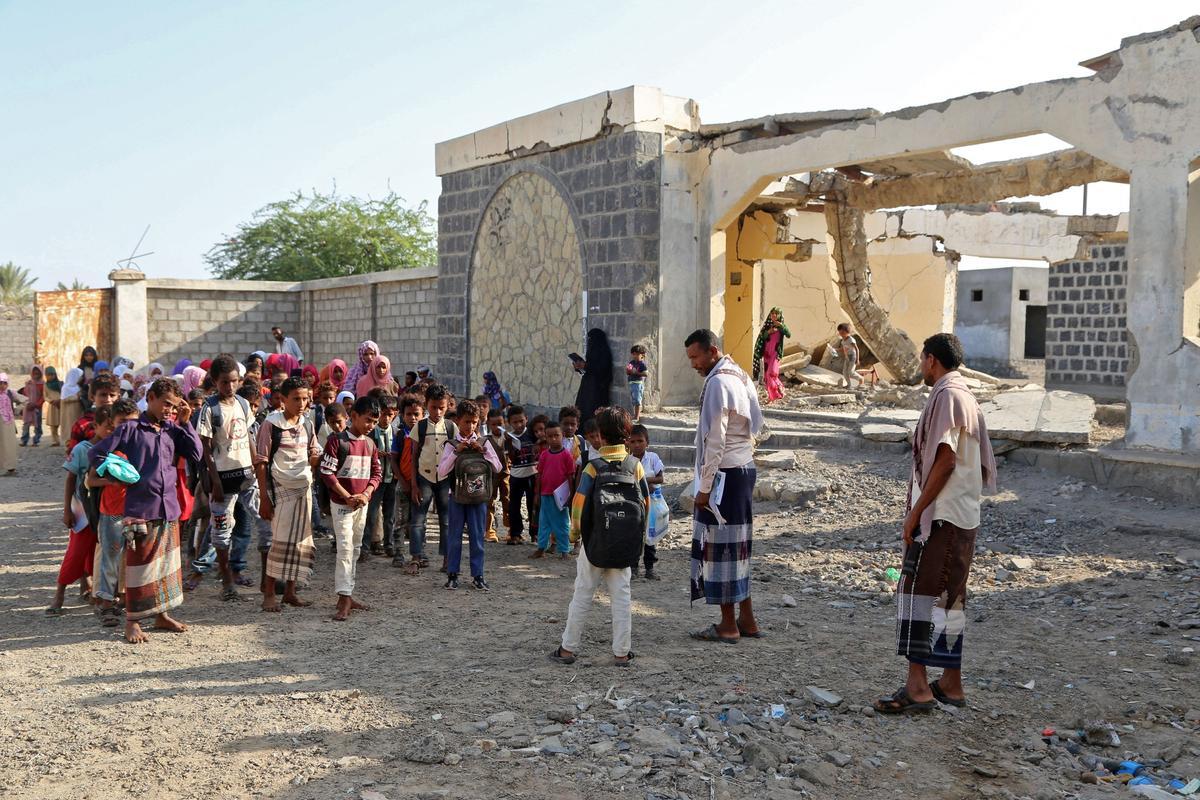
[{"x": 287, "y": 453}]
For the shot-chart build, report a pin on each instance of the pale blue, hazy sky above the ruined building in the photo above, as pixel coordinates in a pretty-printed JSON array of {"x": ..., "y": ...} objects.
[{"x": 188, "y": 117}]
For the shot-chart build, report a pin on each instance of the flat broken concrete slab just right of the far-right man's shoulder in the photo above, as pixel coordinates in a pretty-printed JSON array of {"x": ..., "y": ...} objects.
[{"x": 1039, "y": 416}]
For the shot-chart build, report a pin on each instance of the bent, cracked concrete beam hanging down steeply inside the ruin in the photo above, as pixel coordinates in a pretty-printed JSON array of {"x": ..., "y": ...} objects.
[{"x": 891, "y": 345}]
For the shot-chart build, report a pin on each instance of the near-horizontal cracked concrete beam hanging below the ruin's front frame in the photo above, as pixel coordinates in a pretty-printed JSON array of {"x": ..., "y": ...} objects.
[{"x": 1022, "y": 178}]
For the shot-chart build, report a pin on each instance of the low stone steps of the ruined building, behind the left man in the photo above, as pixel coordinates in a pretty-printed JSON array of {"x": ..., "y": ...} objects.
[{"x": 673, "y": 434}]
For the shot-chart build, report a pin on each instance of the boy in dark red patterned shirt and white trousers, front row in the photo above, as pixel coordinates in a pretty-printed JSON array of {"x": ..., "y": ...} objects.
[{"x": 351, "y": 472}]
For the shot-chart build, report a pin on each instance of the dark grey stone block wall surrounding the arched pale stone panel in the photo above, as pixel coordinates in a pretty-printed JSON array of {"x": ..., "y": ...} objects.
[{"x": 613, "y": 191}]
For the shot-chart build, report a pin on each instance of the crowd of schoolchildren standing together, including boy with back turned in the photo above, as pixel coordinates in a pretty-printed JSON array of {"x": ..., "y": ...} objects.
[{"x": 221, "y": 456}]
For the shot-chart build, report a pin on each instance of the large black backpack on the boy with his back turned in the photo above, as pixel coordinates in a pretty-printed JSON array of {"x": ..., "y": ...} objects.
[{"x": 614, "y": 525}]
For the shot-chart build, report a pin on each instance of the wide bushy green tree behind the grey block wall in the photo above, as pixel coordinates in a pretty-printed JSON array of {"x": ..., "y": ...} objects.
[{"x": 325, "y": 237}]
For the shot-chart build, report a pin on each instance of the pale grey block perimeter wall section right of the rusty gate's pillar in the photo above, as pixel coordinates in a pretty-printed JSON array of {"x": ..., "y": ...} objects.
[{"x": 200, "y": 323}]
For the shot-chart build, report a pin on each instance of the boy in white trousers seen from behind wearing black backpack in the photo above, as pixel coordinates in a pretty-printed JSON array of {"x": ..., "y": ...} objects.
[{"x": 610, "y": 510}]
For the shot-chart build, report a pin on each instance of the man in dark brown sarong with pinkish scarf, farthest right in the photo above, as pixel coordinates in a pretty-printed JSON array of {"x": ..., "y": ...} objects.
[{"x": 952, "y": 461}]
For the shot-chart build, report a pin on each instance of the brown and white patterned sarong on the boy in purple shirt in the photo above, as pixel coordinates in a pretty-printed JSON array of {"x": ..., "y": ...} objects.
[{"x": 154, "y": 582}]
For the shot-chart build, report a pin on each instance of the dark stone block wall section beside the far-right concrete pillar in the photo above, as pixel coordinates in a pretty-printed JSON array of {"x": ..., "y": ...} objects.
[{"x": 1087, "y": 320}]
